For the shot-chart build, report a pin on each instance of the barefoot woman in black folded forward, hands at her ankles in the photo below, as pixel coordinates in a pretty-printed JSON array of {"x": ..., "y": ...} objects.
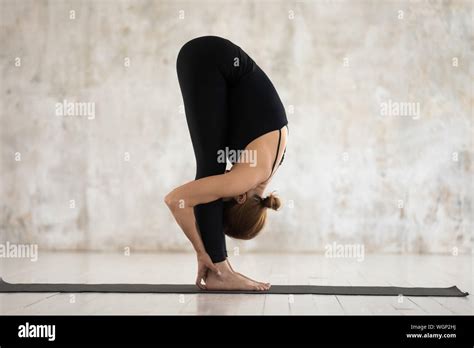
[{"x": 233, "y": 112}]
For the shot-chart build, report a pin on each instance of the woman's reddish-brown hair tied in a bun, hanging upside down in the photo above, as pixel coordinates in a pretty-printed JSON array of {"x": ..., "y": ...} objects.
[{"x": 246, "y": 220}]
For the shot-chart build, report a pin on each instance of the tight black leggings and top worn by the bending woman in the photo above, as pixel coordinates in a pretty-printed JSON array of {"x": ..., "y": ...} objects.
[{"x": 223, "y": 92}]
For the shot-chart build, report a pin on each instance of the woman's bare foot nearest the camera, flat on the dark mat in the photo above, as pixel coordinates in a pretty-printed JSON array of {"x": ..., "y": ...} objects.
[{"x": 229, "y": 280}]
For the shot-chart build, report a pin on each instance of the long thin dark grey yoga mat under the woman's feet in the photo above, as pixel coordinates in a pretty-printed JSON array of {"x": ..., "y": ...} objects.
[{"x": 452, "y": 291}]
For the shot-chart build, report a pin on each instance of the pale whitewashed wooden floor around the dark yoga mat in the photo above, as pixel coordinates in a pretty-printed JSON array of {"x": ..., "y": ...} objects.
[{"x": 396, "y": 270}]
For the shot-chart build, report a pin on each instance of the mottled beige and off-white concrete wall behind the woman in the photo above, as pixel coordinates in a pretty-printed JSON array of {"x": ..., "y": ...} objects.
[{"x": 379, "y": 100}]
